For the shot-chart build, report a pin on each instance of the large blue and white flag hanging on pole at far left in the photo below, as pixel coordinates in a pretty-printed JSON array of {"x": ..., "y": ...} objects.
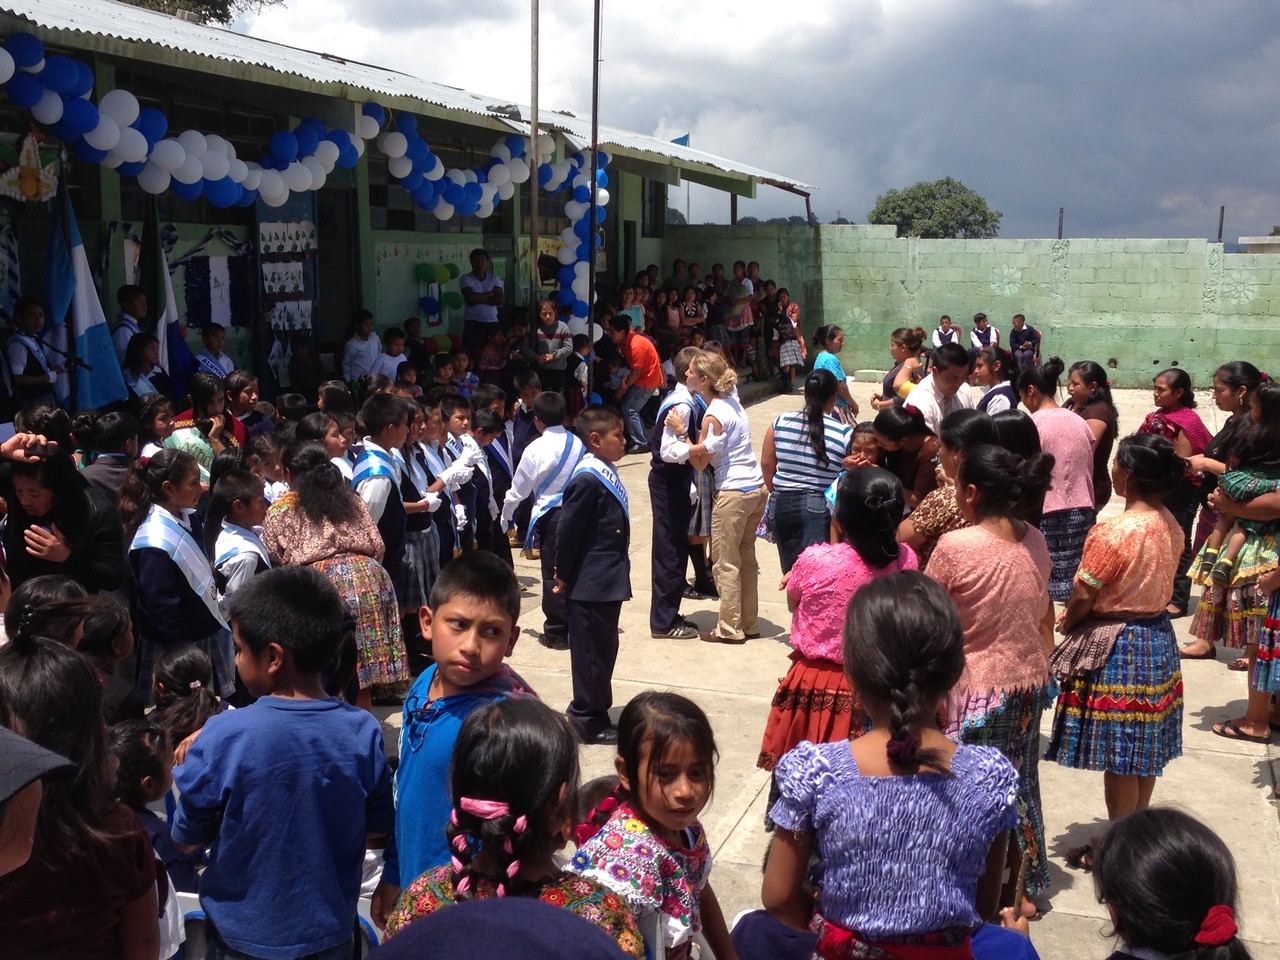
[{"x": 76, "y": 318}]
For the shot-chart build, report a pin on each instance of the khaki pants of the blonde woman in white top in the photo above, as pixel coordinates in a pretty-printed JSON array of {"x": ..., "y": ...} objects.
[{"x": 734, "y": 520}]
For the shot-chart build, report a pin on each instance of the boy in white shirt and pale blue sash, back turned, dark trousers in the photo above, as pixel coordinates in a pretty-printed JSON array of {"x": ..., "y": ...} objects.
[{"x": 542, "y": 476}]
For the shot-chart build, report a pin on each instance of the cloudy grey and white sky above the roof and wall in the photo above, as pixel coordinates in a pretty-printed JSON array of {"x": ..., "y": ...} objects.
[{"x": 1139, "y": 117}]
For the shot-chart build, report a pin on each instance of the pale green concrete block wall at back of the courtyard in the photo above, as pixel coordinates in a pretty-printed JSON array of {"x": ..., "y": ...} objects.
[{"x": 1145, "y": 304}]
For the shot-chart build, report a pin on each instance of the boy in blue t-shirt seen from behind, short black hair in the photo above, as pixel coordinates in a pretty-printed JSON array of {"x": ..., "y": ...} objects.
[{"x": 287, "y": 792}]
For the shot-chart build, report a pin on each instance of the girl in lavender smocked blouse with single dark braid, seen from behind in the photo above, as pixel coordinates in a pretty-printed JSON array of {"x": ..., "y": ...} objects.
[{"x": 912, "y": 828}]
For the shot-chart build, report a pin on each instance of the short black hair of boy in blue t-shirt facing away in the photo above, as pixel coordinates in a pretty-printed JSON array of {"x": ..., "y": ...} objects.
[{"x": 295, "y": 607}]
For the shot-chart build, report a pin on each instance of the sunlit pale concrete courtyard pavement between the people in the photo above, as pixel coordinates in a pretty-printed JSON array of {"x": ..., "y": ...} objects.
[{"x": 1228, "y": 785}]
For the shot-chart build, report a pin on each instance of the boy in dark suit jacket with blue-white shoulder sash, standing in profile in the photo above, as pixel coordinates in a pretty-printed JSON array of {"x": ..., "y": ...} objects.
[{"x": 593, "y": 570}]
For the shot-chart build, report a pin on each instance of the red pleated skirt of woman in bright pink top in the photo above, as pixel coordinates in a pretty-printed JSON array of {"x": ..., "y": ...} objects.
[{"x": 815, "y": 702}]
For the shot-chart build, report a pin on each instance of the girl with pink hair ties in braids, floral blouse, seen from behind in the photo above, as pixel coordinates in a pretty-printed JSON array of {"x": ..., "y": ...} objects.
[{"x": 515, "y": 794}]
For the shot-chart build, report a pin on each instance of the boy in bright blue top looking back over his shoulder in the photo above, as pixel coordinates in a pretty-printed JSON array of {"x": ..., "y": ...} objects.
[{"x": 472, "y": 624}]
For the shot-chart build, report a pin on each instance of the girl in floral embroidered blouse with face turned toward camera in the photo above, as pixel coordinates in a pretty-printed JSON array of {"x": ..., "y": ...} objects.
[{"x": 644, "y": 840}]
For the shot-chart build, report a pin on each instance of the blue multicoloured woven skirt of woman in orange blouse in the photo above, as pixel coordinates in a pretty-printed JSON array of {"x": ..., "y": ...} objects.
[{"x": 1126, "y": 719}]
